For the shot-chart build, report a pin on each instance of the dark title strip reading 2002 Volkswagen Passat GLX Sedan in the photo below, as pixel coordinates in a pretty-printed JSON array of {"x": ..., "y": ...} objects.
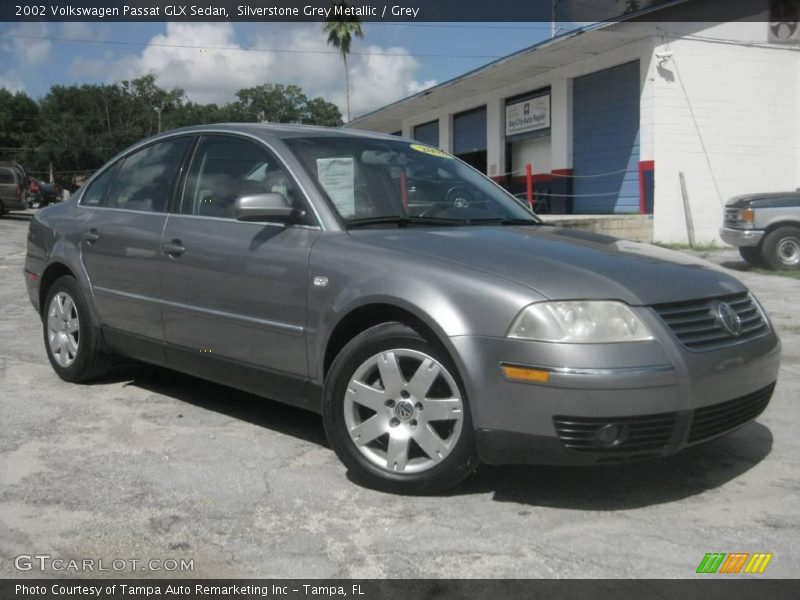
[{"x": 575, "y": 11}]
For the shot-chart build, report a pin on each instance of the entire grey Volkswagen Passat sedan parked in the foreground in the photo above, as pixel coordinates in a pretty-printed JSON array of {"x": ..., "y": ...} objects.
[{"x": 432, "y": 319}]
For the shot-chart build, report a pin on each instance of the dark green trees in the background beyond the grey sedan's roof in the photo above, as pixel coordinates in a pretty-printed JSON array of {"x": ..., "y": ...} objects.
[{"x": 80, "y": 127}]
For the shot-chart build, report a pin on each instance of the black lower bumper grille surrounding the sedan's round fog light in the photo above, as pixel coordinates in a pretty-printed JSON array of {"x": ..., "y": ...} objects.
[{"x": 641, "y": 434}]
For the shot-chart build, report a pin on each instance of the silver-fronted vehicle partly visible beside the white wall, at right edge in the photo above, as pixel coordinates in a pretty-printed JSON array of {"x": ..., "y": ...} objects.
[{"x": 765, "y": 228}]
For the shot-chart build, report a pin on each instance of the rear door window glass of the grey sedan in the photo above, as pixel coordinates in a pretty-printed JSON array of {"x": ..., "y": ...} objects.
[{"x": 146, "y": 178}]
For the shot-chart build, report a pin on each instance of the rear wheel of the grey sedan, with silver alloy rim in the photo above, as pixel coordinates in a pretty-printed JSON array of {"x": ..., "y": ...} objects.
[{"x": 70, "y": 336}]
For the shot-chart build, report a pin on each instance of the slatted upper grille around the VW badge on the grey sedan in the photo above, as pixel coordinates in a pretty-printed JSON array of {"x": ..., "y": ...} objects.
[{"x": 697, "y": 326}]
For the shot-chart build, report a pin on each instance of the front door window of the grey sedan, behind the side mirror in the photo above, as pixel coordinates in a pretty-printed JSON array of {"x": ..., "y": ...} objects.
[{"x": 226, "y": 168}]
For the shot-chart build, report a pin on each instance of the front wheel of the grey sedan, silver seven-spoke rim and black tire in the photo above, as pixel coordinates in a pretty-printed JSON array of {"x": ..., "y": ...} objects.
[{"x": 396, "y": 414}]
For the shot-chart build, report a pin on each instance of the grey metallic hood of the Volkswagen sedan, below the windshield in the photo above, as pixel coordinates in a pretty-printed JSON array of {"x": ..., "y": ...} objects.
[{"x": 562, "y": 263}]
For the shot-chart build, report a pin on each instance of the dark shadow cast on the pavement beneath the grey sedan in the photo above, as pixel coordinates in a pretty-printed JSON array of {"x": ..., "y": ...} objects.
[{"x": 601, "y": 487}]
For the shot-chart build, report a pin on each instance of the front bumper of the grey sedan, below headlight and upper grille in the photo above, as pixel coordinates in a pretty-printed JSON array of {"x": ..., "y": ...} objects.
[{"x": 652, "y": 398}]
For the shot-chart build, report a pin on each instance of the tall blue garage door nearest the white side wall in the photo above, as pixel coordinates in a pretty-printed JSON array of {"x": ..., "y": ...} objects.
[{"x": 605, "y": 129}]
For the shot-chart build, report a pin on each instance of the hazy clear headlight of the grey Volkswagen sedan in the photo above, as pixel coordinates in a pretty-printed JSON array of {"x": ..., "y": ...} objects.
[{"x": 579, "y": 322}]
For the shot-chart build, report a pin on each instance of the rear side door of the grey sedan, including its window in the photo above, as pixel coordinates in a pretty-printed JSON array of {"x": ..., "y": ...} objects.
[{"x": 122, "y": 239}]
